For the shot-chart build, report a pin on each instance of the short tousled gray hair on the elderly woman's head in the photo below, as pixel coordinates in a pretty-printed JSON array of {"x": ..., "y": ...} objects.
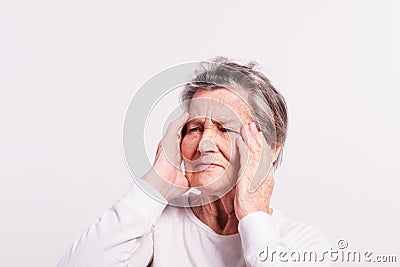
[{"x": 268, "y": 105}]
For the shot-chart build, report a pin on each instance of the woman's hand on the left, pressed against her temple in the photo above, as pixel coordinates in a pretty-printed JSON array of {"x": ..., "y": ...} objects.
[{"x": 166, "y": 174}]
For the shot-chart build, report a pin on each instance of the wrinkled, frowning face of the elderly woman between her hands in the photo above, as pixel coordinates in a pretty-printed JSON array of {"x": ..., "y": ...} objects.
[{"x": 209, "y": 144}]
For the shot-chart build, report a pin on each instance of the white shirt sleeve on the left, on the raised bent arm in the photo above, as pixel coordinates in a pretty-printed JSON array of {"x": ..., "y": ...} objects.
[{"x": 121, "y": 236}]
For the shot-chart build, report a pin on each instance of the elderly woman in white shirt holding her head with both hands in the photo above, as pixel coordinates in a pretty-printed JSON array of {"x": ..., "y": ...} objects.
[{"x": 230, "y": 142}]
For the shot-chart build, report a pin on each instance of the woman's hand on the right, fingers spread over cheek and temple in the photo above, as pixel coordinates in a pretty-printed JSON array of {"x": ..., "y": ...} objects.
[{"x": 256, "y": 174}]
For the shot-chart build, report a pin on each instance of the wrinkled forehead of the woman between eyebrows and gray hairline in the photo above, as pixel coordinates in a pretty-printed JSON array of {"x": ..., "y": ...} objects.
[{"x": 220, "y": 104}]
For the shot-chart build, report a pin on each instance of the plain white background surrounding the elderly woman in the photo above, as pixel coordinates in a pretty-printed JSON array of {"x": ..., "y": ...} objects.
[{"x": 68, "y": 70}]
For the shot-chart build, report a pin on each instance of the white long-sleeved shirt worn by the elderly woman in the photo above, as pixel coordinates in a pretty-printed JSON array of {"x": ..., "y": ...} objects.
[{"x": 140, "y": 231}]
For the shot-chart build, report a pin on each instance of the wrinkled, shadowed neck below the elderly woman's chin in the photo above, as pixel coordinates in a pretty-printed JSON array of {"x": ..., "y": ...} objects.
[{"x": 219, "y": 215}]
